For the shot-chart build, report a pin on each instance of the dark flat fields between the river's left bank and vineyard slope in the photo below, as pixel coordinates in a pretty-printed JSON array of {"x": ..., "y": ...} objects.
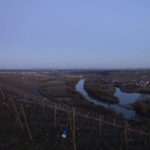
[{"x": 62, "y": 91}]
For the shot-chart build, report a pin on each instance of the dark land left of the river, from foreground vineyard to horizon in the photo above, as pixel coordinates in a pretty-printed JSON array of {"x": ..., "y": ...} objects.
[{"x": 36, "y": 108}]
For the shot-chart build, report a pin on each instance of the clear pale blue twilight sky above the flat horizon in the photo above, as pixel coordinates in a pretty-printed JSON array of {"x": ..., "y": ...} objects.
[{"x": 74, "y": 33}]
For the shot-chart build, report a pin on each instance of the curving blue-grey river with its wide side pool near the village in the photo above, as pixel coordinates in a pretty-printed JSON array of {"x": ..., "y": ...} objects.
[{"x": 124, "y": 98}]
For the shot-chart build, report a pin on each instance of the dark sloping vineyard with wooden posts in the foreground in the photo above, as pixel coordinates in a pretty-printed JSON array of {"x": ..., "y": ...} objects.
[{"x": 31, "y": 122}]
